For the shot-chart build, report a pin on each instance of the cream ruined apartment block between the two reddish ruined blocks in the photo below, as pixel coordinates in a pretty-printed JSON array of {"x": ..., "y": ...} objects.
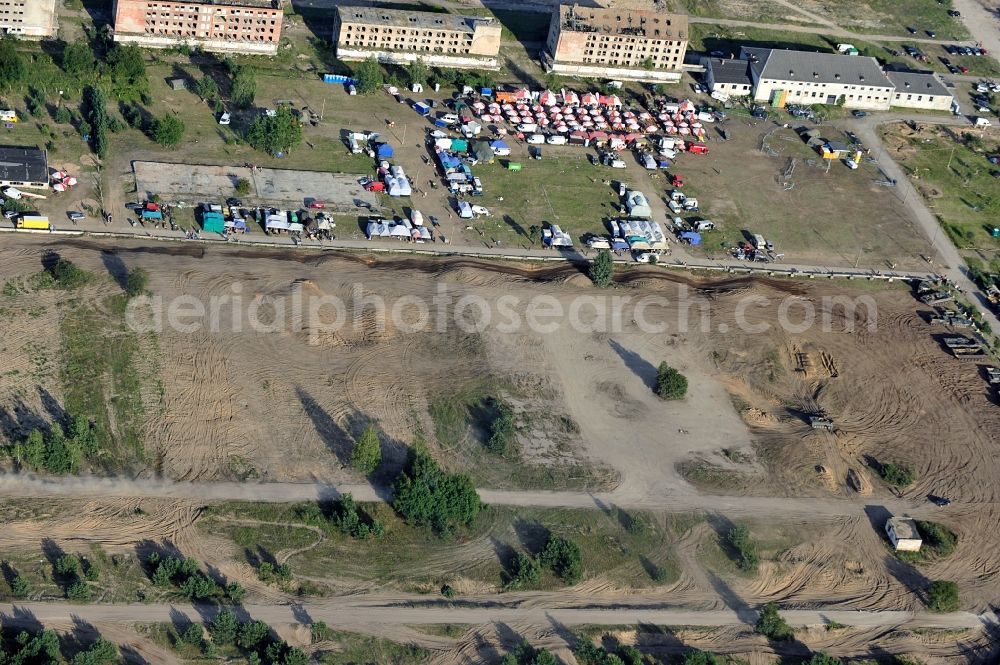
[{"x": 444, "y": 40}]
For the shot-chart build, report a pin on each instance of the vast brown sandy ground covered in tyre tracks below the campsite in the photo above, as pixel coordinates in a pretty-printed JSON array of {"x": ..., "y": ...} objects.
[{"x": 290, "y": 408}]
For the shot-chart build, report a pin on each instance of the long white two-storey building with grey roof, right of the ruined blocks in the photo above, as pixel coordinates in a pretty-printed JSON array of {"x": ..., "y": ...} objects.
[{"x": 800, "y": 77}]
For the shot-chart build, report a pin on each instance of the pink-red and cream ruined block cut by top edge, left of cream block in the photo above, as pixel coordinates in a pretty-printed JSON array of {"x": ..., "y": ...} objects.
[{"x": 236, "y": 26}]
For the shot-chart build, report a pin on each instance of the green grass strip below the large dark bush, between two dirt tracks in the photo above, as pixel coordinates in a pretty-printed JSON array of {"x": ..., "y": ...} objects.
[{"x": 414, "y": 558}]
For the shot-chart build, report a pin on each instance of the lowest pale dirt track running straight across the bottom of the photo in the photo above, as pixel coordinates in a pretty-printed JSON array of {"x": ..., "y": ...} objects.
[{"x": 365, "y": 612}]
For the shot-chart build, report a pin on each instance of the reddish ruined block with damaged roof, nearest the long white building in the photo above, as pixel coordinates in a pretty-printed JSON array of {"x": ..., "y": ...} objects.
[{"x": 617, "y": 43}]
